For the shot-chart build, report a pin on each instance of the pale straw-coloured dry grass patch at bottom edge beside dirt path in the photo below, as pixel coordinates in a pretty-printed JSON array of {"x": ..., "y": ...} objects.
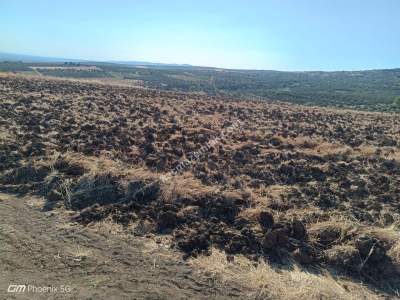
[{"x": 272, "y": 283}]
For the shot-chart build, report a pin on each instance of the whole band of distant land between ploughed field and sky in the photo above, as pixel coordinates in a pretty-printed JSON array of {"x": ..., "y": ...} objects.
[{"x": 366, "y": 90}]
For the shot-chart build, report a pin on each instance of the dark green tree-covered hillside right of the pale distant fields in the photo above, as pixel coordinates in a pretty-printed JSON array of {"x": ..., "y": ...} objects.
[{"x": 366, "y": 90}]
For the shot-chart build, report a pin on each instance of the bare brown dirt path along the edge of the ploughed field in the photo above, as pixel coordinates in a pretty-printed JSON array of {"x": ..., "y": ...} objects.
[{"x": 44, "y": 249}]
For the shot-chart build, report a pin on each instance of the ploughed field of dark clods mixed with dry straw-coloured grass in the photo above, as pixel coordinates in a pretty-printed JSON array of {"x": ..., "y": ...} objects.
[{"x": 289, "y": 201}]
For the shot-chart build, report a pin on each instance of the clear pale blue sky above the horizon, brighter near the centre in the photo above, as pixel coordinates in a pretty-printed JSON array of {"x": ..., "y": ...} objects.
[{"x": 268, "y": 34}]
